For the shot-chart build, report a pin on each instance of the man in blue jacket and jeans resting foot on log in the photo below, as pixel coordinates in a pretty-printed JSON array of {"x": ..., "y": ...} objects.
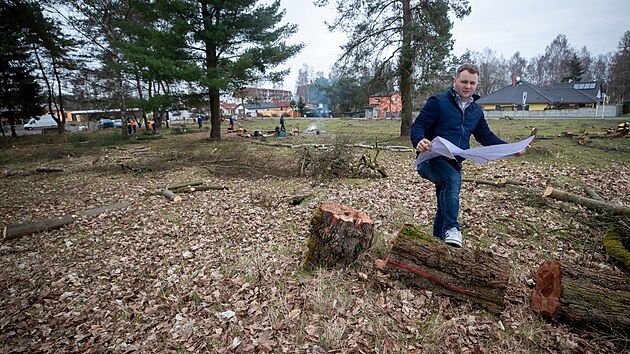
[{"x": 454, "y": 116}]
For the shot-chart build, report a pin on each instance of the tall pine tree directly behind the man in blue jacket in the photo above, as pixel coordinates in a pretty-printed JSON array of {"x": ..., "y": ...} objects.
[{"x": 412, "y": 36}]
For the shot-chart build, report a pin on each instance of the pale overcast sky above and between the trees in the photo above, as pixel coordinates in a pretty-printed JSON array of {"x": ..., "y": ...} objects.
[{"x": 505, "y": 26}]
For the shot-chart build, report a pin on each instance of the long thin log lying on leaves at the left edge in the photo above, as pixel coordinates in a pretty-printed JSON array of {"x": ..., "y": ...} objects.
[{"x": 18, "y": 230}]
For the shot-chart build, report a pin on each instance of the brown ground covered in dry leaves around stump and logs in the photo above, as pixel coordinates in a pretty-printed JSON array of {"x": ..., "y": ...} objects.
[{"x": 221, "y": 271}]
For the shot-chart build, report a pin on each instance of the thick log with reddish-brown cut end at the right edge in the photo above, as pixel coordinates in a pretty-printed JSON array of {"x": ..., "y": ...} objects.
[{"x": 582, "y": 297}]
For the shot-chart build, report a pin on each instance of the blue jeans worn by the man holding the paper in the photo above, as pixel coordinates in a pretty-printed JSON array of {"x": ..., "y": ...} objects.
[{"x": 447, "y": 176}]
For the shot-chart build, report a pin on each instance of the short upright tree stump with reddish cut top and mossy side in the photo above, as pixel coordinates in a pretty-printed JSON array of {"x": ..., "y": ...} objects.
[{"x": 339, "y": 234}]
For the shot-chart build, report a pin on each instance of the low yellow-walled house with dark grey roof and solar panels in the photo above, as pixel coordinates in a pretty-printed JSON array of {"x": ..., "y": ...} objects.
[{"x": 522, "y": 95}]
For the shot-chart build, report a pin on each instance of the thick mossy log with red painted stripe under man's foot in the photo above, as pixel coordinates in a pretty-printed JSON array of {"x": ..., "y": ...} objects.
[{"x": 423, "y": 261}]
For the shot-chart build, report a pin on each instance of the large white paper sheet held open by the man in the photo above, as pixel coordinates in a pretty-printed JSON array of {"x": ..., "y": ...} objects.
[{"x": 443, "y": 147}]
